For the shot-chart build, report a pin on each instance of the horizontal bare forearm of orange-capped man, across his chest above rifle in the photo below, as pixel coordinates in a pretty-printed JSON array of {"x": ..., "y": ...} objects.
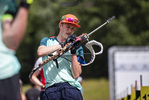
[{"x": 43, "y": 50}]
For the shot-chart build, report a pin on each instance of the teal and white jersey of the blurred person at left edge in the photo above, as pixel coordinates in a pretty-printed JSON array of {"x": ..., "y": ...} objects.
[{"x": 9, "y": 64}]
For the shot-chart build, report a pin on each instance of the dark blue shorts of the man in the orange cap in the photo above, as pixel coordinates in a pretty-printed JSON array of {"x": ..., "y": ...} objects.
[{"x": 62, "y": 91}]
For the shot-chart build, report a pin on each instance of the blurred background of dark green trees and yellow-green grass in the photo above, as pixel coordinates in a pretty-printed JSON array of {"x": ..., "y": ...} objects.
[{"x": 129, "y": 28}]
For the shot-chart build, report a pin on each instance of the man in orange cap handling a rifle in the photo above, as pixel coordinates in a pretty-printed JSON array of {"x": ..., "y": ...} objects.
[{"x": 61, "y": 74}]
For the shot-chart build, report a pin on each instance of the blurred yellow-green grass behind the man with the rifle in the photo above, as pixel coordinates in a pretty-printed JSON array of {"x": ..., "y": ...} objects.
[{"x": 93, "y": 89}]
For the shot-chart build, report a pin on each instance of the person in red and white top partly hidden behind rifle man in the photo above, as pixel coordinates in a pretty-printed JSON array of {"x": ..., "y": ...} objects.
[{"x": 35, "y": 79}]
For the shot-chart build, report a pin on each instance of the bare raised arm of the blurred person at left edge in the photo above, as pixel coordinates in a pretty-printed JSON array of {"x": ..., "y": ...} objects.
[{"x": 13, "y": 37}]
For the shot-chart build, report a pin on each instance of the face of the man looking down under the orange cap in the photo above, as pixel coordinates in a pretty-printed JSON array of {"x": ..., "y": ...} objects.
[{"x": 66, "y": 30}]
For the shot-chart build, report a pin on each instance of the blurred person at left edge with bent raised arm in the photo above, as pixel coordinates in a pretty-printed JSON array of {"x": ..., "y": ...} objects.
[{"x": 10, "y": 38}]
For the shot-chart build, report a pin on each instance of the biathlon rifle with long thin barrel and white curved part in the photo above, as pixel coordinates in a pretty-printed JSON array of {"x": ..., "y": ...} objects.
[{"x": 68, "y": 47}]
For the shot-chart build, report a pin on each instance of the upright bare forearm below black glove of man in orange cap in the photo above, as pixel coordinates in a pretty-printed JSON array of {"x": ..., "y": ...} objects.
[{"x": 76, "y": 67}]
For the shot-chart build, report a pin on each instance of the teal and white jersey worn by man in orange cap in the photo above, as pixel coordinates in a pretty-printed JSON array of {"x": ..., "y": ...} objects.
[{"x": 53, "y": 74}]
